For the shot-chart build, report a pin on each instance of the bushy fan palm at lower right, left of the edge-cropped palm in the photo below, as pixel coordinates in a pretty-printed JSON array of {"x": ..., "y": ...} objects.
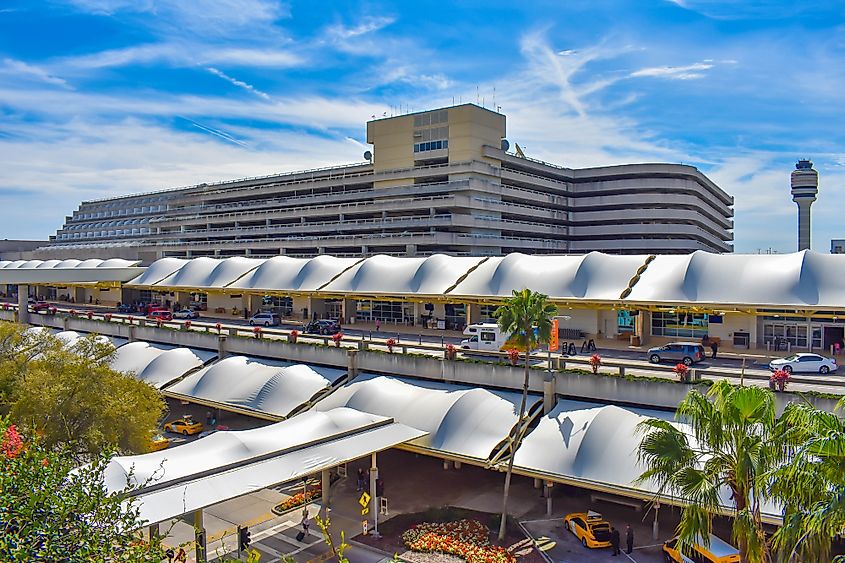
[{"x": 732, "y": 447}]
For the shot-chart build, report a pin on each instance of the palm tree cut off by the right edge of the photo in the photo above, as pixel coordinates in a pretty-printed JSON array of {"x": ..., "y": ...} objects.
[{"x": 811, "y": 485}]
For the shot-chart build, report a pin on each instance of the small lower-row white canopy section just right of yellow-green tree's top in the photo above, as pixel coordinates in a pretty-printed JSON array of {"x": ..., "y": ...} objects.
[{"x": 157, "y": 364}]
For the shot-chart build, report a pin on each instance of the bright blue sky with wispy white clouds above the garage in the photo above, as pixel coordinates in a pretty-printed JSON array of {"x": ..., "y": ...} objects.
[{"x": 108, "y": 97}]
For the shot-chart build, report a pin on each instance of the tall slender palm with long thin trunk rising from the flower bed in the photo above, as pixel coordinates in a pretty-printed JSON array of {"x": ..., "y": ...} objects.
[{"x": 527, "y": 315}]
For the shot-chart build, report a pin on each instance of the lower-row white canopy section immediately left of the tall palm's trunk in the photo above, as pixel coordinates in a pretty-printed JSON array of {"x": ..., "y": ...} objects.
[{"x": 464, "y": 421}]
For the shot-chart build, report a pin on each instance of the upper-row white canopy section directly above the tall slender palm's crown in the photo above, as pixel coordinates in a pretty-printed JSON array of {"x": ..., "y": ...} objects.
[{"x": 593, "y": 276}]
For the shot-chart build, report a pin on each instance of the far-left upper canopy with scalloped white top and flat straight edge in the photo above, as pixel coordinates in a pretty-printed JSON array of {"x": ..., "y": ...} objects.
[{"x": 68, "y": 271}]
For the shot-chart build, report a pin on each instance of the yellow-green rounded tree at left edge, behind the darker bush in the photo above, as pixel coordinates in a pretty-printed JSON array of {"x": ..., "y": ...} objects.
[{"x": 72, "y": 398}]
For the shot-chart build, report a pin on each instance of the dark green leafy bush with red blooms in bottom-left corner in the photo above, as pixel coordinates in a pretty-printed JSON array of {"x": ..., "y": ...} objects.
[{"x": 52, "y": 510}]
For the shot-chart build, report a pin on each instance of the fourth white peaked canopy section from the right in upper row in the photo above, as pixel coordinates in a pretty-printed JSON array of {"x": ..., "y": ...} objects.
[{"x": 284, "y": 273}]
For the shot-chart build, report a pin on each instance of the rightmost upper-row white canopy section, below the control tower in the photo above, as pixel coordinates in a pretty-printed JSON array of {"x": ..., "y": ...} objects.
[{"x": 803, "y": 278}]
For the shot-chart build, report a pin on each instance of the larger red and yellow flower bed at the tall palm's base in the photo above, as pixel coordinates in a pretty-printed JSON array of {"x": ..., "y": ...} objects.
[{"x": 468, "y": 539}]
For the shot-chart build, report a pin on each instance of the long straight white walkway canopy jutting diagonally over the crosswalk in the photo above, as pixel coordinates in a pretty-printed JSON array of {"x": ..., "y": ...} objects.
[{"x": 227, "y": 465}]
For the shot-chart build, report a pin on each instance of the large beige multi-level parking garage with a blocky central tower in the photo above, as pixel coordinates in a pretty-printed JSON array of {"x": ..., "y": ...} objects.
[{"x": 460, "y": 194}]
